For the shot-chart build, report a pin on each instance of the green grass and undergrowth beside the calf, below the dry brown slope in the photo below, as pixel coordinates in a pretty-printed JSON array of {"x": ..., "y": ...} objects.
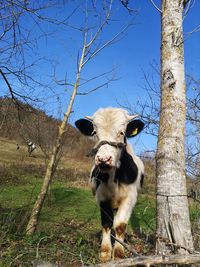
[{"x": 69, "y": 224}]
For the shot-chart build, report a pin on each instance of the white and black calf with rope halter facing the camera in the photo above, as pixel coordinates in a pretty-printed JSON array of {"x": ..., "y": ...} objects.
[{"x": 117, "y": 173}]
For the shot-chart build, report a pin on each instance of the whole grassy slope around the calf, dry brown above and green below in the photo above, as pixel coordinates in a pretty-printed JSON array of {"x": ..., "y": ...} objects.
[{"x": 69, "y": 225}]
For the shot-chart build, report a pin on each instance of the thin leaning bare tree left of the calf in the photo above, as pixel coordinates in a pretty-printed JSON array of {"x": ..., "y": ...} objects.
[{"x": 91, "y": 47}]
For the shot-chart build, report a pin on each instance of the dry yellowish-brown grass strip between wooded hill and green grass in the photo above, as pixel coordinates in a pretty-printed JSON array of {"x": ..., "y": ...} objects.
[{"x": 15, "y": 164}]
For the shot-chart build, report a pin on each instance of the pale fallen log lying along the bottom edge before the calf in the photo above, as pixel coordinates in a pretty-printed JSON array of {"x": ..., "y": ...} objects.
[{"x": 153, "y": 260}]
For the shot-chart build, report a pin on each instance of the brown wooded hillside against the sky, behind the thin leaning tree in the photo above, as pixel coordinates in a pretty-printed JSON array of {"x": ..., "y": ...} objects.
[{"x": 23, "y": 122}]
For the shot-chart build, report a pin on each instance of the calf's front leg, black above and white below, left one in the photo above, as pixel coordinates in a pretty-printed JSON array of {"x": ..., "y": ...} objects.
[{"x": 107, "y": 222}]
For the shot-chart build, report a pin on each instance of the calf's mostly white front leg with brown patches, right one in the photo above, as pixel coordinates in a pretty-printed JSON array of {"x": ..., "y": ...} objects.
[{"x": 120, "y": 223}]
